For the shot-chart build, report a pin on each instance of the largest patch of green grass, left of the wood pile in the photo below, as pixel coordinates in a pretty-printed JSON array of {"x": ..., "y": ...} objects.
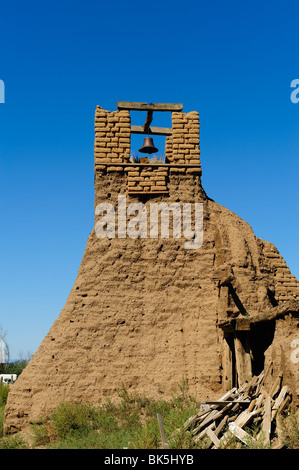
[{"x": 130, "y": 422}]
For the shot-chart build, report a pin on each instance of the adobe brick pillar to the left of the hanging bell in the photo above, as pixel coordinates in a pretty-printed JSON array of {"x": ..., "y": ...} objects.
[{"x": 112, "y": 136}]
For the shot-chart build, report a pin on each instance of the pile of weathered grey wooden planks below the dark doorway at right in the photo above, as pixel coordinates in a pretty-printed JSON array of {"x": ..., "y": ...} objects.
[{"x": 252, "y": 403}]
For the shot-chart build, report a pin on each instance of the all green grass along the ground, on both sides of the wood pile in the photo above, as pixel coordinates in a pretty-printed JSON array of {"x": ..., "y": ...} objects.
[{"x": 129, "y": 422}]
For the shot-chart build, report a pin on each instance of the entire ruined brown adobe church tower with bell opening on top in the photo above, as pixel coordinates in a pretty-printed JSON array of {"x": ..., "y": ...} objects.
[{"x": 147, "y": 312}]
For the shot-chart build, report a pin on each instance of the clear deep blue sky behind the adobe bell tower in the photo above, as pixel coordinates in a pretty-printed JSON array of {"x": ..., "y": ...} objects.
[{"x": 231, "y": 61}]
